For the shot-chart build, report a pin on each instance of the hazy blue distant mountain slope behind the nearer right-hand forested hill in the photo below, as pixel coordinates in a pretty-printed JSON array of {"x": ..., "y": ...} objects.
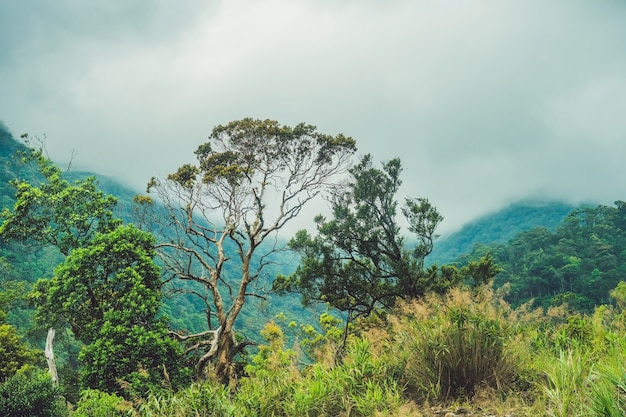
[{"x": 499, "y": 227}]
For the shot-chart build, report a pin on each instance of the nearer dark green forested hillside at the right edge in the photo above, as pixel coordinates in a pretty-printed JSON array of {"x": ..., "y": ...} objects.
[{"x": 579, "y": 262}]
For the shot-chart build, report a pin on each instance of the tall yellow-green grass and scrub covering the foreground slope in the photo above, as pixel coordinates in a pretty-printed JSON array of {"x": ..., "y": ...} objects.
[{"x": 468, "y": 353}]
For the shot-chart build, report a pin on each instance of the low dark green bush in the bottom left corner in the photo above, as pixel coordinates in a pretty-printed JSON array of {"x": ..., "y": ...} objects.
[{"x": 31, "y": 394}]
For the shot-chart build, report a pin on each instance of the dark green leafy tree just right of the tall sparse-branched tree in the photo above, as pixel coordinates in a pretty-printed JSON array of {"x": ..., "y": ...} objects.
[{"x": 359, "y": 260}]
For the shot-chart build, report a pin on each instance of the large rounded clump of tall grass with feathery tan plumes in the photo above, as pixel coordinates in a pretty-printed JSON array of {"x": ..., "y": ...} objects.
[{"x": 449, "y": 347}]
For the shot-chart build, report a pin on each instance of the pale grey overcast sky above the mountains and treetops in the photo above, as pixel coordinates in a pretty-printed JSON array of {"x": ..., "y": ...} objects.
[{"x": 486, "y": 102}]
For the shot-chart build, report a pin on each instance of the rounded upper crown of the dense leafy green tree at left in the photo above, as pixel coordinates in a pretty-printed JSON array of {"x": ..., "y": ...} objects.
[{"x": 114, "y": 273}]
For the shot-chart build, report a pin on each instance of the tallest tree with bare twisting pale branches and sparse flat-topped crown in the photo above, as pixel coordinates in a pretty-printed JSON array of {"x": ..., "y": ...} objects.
[{"x": 251, "y": 179}]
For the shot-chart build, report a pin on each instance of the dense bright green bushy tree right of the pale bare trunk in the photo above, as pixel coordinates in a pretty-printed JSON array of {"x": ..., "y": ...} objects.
[{"x": 110, "y": 293}]
